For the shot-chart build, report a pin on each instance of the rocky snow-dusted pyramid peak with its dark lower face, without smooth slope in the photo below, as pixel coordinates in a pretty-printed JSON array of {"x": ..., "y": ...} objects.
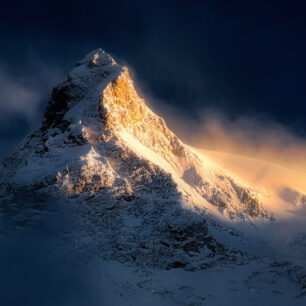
[{"x": 102, "y": 148}]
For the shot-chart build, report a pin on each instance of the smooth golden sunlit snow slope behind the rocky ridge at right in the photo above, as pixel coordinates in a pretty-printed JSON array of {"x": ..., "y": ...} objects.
[{"x": 283, "y": 189}]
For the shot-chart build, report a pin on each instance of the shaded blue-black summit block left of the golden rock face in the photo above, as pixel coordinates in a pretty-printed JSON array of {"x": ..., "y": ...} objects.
[{"x": 72, "y": 100}]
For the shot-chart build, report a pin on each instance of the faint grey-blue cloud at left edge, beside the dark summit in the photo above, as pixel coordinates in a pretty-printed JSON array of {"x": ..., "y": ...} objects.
[{"x": 24, "y": 92}]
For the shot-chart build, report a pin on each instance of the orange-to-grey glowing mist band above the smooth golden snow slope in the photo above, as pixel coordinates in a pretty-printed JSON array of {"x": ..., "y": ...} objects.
[{"x": 255, "y": 135}]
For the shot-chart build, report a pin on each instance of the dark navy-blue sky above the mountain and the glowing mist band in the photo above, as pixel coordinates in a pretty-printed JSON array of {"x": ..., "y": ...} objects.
[{"x": 236, "y": 57}]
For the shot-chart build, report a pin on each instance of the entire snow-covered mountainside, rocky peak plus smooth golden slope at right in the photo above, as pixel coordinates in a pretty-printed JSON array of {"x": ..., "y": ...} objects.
[{"x": 137, "y": 196}]
